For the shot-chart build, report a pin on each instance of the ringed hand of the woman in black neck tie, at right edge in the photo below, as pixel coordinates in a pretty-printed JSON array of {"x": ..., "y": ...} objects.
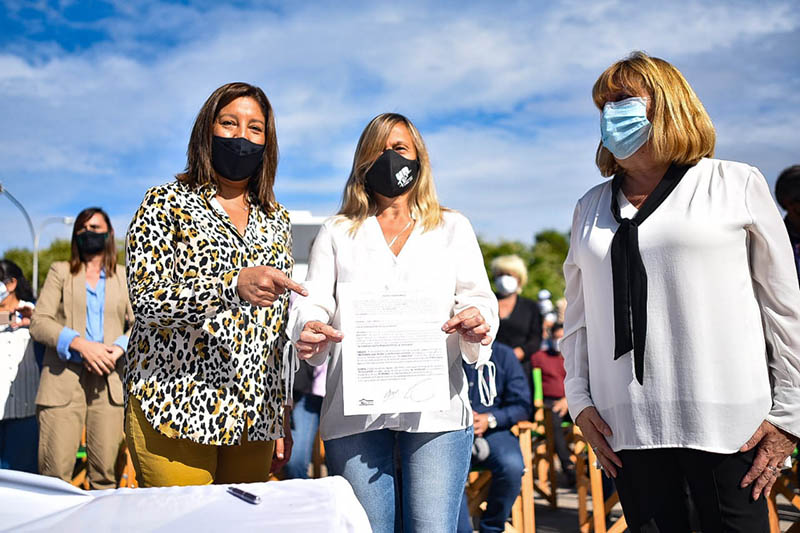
[{"x": 774, "y": 446}]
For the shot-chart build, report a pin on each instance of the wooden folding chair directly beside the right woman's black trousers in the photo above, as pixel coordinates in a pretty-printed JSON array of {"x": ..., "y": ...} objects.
[{"x": 591, "y": 486}]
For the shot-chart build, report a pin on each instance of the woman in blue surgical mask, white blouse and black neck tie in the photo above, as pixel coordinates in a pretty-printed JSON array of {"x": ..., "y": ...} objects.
[{"x": 682, "y": 328}]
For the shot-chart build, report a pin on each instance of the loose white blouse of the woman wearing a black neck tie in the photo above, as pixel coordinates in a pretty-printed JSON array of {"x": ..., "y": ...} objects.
[{"x": 723, "y": 316}]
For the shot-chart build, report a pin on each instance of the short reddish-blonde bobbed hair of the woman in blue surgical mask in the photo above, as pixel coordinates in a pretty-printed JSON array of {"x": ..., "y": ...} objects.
[{"x": 682, "y": 131}]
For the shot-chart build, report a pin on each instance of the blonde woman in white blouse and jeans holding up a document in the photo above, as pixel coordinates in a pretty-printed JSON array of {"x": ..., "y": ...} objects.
[{"x": 392, "y": 234}]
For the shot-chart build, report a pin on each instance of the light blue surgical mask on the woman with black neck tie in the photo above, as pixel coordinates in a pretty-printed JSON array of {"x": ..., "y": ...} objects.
[{"x": 624, "y": 126}]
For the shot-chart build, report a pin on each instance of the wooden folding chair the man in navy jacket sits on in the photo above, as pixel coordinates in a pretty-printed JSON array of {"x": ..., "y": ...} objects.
[{"x": 523, "y": 518}]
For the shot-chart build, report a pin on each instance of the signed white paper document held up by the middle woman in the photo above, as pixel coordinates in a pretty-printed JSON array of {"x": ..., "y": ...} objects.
[{"x": 394, "y": 352}]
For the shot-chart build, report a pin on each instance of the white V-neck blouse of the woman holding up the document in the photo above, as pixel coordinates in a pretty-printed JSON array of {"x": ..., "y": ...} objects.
[{"x": 444, "y": 262}]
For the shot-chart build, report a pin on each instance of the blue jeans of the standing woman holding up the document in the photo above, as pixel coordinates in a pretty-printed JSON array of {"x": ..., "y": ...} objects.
[{"x": 432, "y": 472}]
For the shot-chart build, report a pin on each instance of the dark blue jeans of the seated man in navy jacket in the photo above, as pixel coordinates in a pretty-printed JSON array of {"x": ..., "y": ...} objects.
[{"x": 505, "y": 464}]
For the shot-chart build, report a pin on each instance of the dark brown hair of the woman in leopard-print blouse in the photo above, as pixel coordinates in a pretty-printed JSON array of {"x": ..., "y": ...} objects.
[{"x": 199, "y": 170}]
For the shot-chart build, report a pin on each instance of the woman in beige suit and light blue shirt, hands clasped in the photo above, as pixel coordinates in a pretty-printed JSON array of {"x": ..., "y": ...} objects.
[{"x": 83, "y": 317}]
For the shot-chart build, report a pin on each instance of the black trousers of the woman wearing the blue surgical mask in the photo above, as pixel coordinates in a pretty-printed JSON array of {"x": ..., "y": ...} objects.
[{"x": 652, "y": 486}]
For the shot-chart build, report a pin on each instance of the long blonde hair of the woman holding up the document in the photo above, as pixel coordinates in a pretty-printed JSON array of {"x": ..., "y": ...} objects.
[{"x": 358, "y": 204}]
